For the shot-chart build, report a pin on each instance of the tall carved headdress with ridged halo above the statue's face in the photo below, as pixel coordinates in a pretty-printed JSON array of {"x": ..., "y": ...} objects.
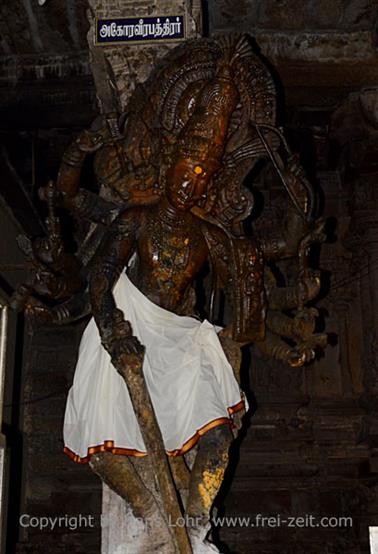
[{"x": 203, "y": 100}]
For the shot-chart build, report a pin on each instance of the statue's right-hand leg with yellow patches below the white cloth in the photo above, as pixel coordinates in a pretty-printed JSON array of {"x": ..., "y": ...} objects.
[{"x": 206, "y": 478}]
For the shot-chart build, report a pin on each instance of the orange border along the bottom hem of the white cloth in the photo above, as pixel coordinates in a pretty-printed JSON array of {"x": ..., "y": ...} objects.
[{"x": 108, "y": 446}]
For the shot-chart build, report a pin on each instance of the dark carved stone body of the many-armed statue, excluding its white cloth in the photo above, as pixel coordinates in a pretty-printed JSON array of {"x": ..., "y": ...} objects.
[{"x": 171, "y": 173}]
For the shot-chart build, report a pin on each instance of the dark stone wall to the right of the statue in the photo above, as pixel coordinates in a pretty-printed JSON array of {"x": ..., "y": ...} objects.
[{"x": 310, "y": 448}]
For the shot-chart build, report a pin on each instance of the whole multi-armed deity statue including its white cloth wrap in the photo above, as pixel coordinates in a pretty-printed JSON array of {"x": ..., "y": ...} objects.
[{"x": 156, "y": 401}]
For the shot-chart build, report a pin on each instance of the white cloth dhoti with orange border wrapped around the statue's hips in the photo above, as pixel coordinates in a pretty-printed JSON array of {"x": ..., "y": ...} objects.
[{"x": 189, "y": 379}]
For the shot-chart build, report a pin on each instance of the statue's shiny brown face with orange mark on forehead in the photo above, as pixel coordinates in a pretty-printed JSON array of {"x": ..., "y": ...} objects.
[{"x": 187, "y": 183}]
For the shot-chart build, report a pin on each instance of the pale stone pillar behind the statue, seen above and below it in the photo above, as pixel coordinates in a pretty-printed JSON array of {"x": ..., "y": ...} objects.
[{"x": 130, "y": 65}]
